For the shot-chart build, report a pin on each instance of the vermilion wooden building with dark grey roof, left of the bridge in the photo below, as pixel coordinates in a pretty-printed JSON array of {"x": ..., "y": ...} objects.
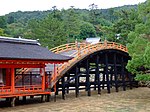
[{"x": 17, "y": 55}]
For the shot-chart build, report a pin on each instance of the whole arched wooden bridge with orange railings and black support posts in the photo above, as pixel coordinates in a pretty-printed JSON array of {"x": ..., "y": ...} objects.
[{"x": 98, "y": 66}]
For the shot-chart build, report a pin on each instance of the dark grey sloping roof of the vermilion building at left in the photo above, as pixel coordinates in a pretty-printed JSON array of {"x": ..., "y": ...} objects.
[{"x": 26, "y": 49}]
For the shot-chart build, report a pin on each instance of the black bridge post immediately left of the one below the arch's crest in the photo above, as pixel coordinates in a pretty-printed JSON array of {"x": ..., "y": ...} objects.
[{"x": 98, "y": 74}]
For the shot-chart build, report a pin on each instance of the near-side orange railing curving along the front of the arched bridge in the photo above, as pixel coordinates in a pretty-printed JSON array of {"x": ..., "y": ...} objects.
[{"x": 81, "y": 53}]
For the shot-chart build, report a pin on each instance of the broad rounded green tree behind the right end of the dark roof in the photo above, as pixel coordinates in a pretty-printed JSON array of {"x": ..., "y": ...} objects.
[{"x": 50, "y": 31}]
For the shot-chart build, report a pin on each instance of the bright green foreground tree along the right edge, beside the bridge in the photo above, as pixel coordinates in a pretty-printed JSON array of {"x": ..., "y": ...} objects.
[{"x": 139, "y": 44}]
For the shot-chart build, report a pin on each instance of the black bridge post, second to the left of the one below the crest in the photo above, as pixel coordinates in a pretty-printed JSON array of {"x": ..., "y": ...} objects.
[{"x": 88, "y": 79}]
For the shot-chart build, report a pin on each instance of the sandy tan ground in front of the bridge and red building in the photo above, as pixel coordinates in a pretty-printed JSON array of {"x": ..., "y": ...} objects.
[{"x": 135, "y": 100}]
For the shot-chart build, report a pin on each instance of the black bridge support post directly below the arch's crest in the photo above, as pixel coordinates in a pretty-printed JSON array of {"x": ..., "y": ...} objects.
[{"x": 107, "y": 75}]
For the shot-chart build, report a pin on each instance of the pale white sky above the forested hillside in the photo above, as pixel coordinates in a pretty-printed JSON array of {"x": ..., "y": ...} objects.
[{"x": 7, "y": 6}]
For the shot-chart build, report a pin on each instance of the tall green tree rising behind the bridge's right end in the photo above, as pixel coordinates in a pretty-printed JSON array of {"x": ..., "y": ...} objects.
[{"x": 126, "y": 23}]
